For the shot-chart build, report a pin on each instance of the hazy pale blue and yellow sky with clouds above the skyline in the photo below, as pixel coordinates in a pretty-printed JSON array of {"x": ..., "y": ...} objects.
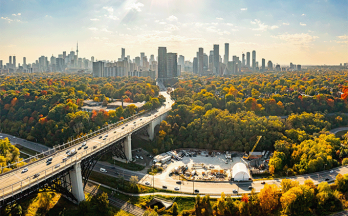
[{"x": 298, "y": 31}]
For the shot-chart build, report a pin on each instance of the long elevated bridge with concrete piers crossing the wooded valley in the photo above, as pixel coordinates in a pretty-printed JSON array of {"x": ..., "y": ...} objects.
[{"x": 69, "y": 174}]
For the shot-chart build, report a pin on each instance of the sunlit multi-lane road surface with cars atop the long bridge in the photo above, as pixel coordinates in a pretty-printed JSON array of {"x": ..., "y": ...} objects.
[{"x": 16, "y": 180}]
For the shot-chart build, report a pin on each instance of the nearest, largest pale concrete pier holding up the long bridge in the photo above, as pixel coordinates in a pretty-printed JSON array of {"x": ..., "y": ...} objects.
[{"x": 76, "y": 182}]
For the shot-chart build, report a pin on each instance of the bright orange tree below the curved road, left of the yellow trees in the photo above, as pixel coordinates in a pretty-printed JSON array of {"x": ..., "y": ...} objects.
[{"x": 269, "y": 198}]
